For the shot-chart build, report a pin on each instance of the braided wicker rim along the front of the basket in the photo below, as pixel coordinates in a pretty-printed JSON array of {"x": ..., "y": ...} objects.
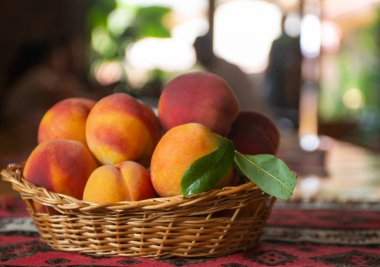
[{"x": 13, "y": 174}]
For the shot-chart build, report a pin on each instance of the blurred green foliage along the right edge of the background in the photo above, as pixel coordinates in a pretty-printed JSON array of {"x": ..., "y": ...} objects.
[{"x": 359, "y": 67}]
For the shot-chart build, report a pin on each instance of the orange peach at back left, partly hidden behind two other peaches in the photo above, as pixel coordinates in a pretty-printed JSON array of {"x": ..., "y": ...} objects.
[{"x": 66, "y": 120}]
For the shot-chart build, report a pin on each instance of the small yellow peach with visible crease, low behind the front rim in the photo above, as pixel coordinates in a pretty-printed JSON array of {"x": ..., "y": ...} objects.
[{"x": 127, "y": 180}]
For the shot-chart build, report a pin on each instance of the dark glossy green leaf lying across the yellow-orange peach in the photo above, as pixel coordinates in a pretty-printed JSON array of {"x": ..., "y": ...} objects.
[{"x": 204, "y": 173}]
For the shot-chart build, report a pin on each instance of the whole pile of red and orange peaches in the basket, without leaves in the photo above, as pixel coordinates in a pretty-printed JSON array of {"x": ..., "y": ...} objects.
[{"x": 117, "y": 148}]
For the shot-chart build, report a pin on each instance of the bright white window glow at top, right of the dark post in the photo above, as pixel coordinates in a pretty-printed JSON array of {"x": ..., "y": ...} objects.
[{"x": 244, "y": 32}]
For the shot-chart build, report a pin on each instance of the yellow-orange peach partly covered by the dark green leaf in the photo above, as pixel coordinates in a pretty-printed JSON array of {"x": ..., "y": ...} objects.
[{"x": 176, "y": 151}]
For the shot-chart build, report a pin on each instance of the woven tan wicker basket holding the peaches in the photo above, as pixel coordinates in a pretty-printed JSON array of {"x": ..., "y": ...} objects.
[{"x": 210, "y": 224}]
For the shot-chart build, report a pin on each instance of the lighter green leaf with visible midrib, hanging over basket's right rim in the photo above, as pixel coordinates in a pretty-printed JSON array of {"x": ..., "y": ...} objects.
[{"x": 268, "y": 172}]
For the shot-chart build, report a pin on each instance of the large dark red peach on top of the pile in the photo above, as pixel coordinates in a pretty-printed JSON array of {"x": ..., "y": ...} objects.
[{"x": 198, "y": 97}]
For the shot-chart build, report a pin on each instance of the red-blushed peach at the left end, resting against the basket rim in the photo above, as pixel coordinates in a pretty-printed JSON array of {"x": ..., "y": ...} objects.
[{"x": 61, "y": 166}]
